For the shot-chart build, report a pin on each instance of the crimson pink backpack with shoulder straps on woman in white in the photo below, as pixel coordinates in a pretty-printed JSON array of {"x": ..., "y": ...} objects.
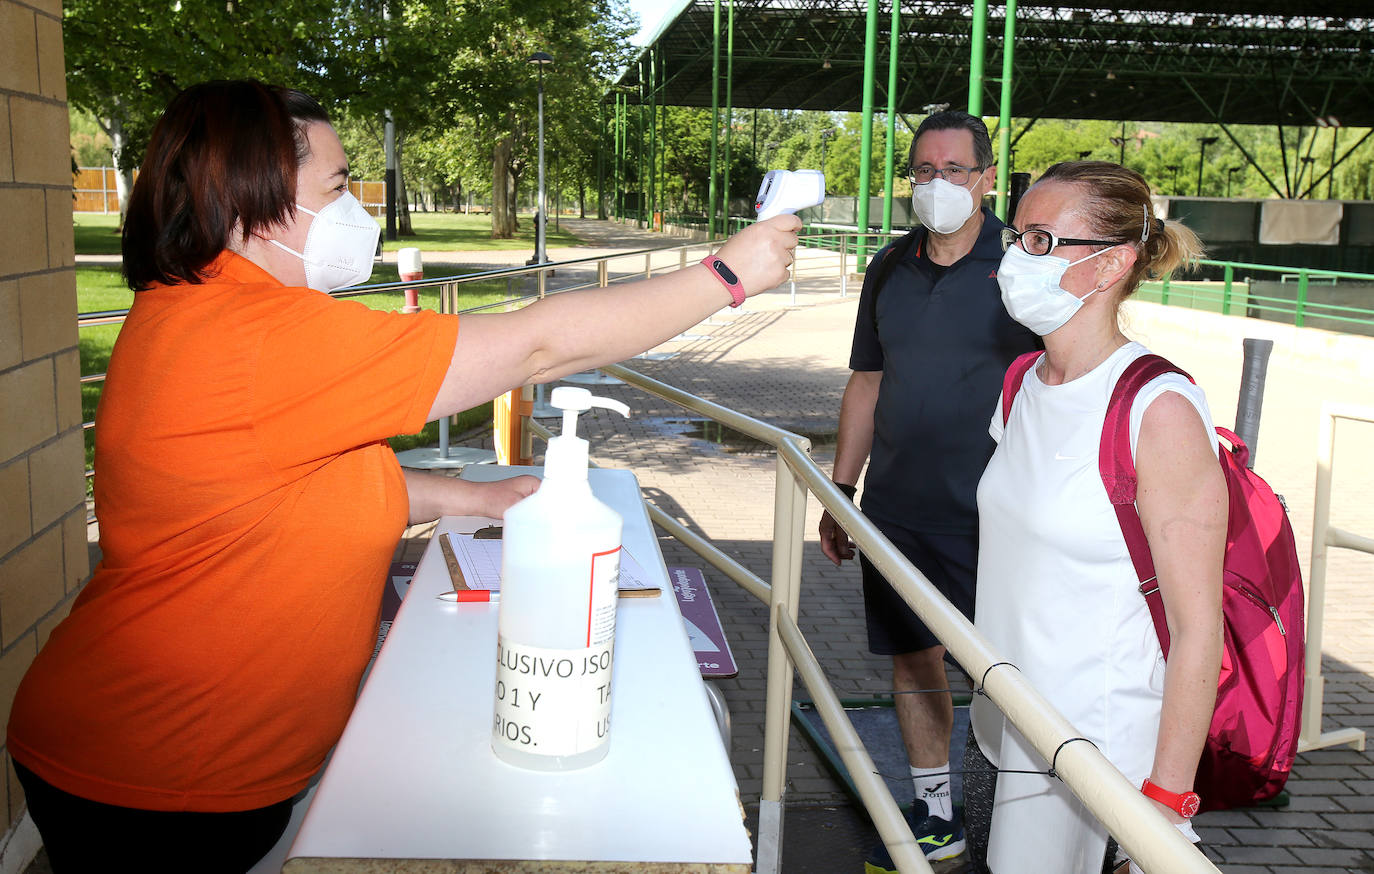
[{"x": 1259, "y": 700}]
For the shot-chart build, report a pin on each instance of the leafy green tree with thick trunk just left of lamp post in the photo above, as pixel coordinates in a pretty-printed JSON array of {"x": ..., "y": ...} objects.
[{"x": 446, "y": 65}]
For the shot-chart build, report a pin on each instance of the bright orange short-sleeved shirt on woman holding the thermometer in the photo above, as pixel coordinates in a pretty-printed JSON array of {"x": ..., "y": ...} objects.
[{"x": 249, "y": 509}]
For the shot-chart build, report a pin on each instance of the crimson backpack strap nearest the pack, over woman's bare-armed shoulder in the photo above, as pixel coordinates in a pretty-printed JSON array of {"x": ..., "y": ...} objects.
[{"x": 1119, "y": 478}]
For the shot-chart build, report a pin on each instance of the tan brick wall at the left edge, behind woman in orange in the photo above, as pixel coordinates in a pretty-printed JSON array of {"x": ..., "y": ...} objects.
[{"x": 43, "y": 544}]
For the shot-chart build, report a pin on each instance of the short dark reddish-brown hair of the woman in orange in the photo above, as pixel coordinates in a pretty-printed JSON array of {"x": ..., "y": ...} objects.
[{"x": 222, "y": 160}]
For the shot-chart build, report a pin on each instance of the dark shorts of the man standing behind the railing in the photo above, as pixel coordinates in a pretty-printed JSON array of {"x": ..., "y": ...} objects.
[{"x": 949, "y": 561}]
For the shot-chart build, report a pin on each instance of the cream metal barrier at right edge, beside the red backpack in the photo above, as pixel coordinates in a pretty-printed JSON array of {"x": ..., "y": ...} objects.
[{"x": 1325, "y": 537}]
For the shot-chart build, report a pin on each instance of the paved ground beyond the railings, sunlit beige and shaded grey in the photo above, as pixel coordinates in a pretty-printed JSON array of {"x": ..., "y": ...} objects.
[{"x": 784, "y": 361}]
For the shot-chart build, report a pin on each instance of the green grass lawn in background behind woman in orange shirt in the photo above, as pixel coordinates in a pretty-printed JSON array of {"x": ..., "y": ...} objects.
[{"x": 101, "y": 288}]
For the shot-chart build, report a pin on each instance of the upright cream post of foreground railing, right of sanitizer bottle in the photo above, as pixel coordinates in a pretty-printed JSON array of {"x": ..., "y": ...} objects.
[{"x": 789, "y": 527}]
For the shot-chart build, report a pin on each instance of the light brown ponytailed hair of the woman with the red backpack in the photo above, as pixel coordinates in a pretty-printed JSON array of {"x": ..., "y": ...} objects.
[{"x": 1118, "y": 205}]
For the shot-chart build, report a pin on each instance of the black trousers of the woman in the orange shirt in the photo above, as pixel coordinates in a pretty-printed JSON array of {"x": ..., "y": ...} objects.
[{"x": 87, "y": 836}]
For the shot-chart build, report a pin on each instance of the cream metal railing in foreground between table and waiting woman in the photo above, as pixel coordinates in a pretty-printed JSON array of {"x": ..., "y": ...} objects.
[{"x": 1129, "y": 816}]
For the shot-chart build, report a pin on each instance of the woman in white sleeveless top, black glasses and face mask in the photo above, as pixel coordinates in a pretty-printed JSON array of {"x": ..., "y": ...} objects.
[{"x": 1057, "y": 590}]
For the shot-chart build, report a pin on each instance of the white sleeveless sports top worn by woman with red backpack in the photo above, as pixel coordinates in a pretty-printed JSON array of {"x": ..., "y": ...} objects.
[{"x": 1059, "y": 598}]
